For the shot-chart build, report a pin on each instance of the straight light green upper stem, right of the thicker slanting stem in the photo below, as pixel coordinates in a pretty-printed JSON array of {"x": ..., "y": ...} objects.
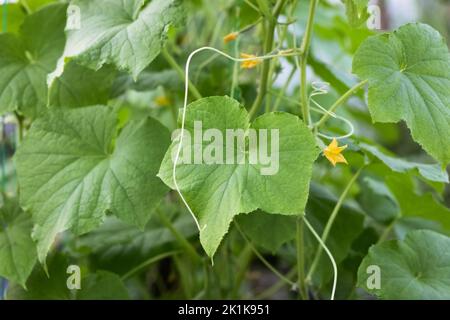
[{"x": 304, "y": 61}]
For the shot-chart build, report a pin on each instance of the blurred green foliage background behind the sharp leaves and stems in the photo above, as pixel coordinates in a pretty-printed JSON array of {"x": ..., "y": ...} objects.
[{"x": 162, "y": 261}]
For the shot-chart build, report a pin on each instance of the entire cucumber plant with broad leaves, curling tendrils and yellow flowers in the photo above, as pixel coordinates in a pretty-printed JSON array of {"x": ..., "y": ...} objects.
[{"x": 97, "y": 87}]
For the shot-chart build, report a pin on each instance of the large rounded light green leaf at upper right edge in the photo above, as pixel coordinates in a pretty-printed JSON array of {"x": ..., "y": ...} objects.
[{"x": 409, "y": 76}]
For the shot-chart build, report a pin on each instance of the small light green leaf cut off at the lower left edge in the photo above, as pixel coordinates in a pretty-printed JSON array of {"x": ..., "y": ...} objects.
[{"x": 17, "y": 249}]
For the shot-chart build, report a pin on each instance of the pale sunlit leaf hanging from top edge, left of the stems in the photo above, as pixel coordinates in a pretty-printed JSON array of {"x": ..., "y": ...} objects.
[{"x": 127, "y": 34}]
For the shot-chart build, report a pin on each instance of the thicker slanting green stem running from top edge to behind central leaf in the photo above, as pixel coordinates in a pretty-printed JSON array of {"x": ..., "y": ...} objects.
[{"x": 269, "y": 30}]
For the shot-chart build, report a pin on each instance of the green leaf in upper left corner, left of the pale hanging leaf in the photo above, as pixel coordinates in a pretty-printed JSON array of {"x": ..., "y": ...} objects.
[{"x": 26, "y": 59}]
